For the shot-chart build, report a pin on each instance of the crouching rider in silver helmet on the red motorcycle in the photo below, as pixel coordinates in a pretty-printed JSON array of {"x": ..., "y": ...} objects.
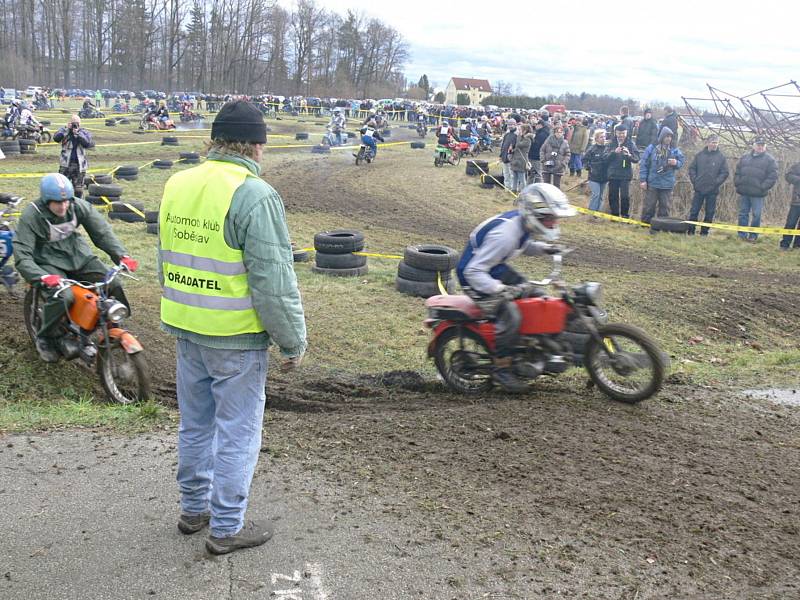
[{"x": 486, "y": 277}]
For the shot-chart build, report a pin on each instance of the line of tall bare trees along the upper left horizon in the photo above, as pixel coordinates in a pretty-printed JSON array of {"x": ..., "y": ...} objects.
[{"x": 239, "y": 46}]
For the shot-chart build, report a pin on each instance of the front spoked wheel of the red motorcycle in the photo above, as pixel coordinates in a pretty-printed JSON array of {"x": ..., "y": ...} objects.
[{"x": 628, "y": 367}]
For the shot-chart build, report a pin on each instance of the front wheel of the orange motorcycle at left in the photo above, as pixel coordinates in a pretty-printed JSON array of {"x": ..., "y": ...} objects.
[{"x": 124, "y": 376}]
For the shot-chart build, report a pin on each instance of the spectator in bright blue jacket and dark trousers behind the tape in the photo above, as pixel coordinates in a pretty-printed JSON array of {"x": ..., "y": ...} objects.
[{"x": 657, "y": 175}]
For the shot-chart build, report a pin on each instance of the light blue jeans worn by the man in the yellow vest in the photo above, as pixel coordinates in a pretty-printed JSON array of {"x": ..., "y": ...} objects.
[{"x": 221, "y": 400}]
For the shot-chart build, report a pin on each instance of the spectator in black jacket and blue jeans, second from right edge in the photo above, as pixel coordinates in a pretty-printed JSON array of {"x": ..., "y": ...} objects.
[{"x": 756, "y": 174}]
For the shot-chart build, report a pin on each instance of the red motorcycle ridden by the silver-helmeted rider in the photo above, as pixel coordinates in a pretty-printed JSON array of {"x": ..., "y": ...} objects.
[{"x": 567, "y": 329}]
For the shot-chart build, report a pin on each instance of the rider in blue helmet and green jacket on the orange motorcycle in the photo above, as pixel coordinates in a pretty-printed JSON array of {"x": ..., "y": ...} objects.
[{"x": 49, "y": 248}]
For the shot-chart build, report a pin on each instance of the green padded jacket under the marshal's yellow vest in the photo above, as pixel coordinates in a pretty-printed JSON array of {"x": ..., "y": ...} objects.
[{"x": 256, "y": 224}]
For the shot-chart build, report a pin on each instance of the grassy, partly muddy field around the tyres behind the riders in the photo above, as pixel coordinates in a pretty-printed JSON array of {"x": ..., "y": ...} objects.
[{"x": 723, "y": 310}]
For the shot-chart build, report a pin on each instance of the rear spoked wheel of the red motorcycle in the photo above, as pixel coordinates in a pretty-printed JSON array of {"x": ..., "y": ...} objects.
[{"x": 464, "y": 361}]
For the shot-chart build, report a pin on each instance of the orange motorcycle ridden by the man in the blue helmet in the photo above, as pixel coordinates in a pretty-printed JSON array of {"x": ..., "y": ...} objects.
[{"x": 92, "y": 331}]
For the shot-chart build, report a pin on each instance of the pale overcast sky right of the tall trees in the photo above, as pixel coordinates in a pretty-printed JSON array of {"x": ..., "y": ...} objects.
[{"x": 661, "y": 51}]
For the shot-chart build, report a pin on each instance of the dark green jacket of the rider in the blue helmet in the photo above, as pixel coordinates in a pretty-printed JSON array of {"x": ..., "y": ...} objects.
[{"x": 32, "y": 246}]
